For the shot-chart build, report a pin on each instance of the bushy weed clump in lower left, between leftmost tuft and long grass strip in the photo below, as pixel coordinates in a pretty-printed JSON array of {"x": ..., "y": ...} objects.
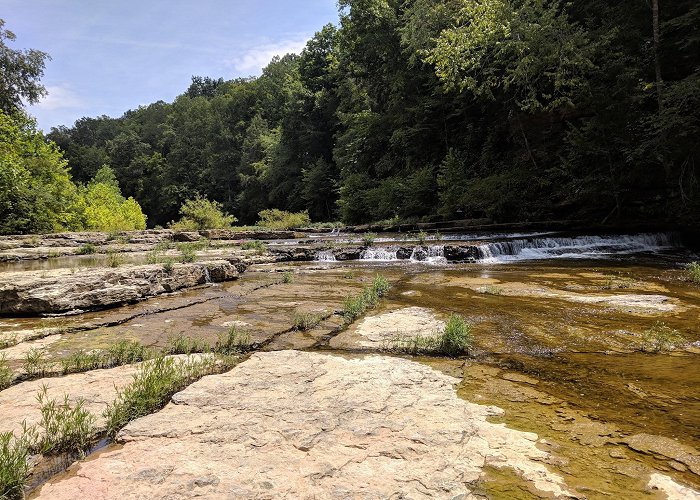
[{"x": 63, "y": 427}]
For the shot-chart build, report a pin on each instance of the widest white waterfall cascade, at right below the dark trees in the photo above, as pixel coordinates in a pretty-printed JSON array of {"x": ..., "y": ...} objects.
[{"x": 580, "y": 247}]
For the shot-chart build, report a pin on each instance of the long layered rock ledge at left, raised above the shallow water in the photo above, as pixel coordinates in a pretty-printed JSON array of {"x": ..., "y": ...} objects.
[{"x": 62, "y": 290}]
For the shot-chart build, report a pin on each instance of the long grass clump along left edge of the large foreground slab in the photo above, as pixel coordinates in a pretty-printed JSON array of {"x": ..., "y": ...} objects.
[{"x": 153, "y": 386}]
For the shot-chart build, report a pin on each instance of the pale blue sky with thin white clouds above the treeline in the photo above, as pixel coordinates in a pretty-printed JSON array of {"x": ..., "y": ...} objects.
[{"x": 109, "y": 56}]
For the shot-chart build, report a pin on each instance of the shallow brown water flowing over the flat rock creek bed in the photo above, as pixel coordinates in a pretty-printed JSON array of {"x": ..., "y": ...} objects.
[{"x": 556, "y": 344}]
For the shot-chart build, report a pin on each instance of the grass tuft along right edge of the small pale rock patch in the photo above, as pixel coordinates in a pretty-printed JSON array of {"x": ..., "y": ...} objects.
[{"x": 455, "y": 340}]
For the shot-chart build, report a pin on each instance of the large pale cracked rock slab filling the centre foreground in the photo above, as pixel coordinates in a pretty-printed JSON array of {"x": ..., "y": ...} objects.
[{"x": 306, "y": 425}]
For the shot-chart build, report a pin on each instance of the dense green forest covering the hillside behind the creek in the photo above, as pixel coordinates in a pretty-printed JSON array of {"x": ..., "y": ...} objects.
[{"x": 419, "y": 110}]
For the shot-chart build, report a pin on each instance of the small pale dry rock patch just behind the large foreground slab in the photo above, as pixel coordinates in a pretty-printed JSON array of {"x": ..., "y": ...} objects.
[{"x": 380, "y": 331}]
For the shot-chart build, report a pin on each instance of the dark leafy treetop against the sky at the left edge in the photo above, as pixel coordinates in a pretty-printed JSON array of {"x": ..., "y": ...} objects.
[{"x": 20, "y": 71}]
